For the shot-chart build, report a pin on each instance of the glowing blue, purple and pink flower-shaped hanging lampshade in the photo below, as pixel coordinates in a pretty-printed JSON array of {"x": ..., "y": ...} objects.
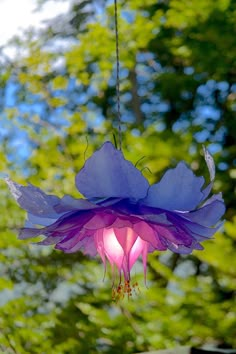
[{"x": 122, "y": 217}]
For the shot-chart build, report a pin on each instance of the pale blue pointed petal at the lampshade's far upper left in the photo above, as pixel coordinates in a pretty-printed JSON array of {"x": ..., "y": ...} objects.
[{"x": 33, "y": 200}]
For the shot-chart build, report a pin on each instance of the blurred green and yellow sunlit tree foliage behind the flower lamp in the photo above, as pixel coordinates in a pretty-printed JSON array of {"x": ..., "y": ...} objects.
[{"x": 178, "y": 90}]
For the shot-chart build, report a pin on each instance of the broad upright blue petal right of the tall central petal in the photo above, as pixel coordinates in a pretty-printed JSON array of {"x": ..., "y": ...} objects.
[{"x": 179, "y": 189}]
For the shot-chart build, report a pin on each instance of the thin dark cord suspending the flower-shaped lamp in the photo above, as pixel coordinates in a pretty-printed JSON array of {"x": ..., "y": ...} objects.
[{"x": 118, "y": 74}]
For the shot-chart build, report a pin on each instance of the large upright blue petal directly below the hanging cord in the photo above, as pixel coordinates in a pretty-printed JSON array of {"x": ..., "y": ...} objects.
[{"x": 107, "y": 174}]
